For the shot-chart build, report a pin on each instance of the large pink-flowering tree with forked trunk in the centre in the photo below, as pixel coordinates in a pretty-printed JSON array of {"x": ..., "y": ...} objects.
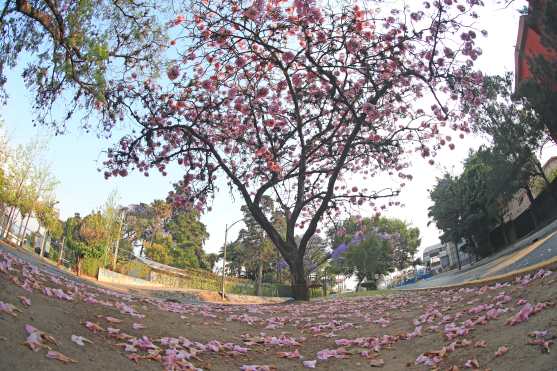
[{"x": 296, "y": 101}]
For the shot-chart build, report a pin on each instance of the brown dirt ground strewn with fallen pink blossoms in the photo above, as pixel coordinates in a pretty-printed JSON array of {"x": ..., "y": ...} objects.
[{"x": 419, "y": 330}]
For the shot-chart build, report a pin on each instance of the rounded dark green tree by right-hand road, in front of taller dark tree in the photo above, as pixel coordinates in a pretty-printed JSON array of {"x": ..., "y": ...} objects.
[{"x": 469, "y": 206}]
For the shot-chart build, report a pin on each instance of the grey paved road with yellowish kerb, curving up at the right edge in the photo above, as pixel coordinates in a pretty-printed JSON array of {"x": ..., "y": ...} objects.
[{"x": 531, "y": 250}]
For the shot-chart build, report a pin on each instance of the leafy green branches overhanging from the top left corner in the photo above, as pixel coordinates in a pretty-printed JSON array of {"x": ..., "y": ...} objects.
[{"x": 79, "y": 49}]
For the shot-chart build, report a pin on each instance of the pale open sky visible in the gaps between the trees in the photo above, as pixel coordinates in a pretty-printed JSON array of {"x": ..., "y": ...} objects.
[{"x": 76, "y": 155}]
